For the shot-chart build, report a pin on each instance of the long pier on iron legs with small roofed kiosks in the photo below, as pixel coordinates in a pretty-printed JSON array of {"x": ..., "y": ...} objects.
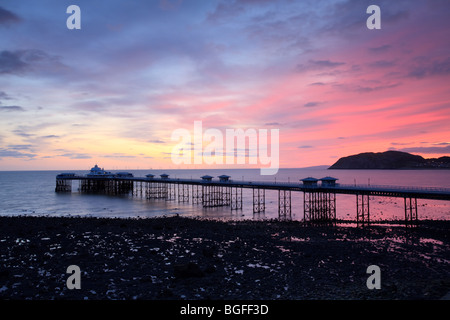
[{"x": 319, "y": 195}]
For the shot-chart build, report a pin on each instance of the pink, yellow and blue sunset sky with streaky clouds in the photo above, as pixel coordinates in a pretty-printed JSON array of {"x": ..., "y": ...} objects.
[{"x": 114, "y": 91}]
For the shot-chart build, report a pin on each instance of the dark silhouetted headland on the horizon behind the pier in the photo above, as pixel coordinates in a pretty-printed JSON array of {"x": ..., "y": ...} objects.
[{"x": 390, "y": 160}]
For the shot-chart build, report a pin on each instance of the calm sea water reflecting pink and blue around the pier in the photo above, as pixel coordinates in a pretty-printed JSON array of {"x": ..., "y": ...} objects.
[{"x": 33, "y": 193}]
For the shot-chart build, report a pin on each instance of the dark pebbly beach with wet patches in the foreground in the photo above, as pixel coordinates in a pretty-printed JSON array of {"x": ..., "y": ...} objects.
[{"x": 183, "y": 258}]
